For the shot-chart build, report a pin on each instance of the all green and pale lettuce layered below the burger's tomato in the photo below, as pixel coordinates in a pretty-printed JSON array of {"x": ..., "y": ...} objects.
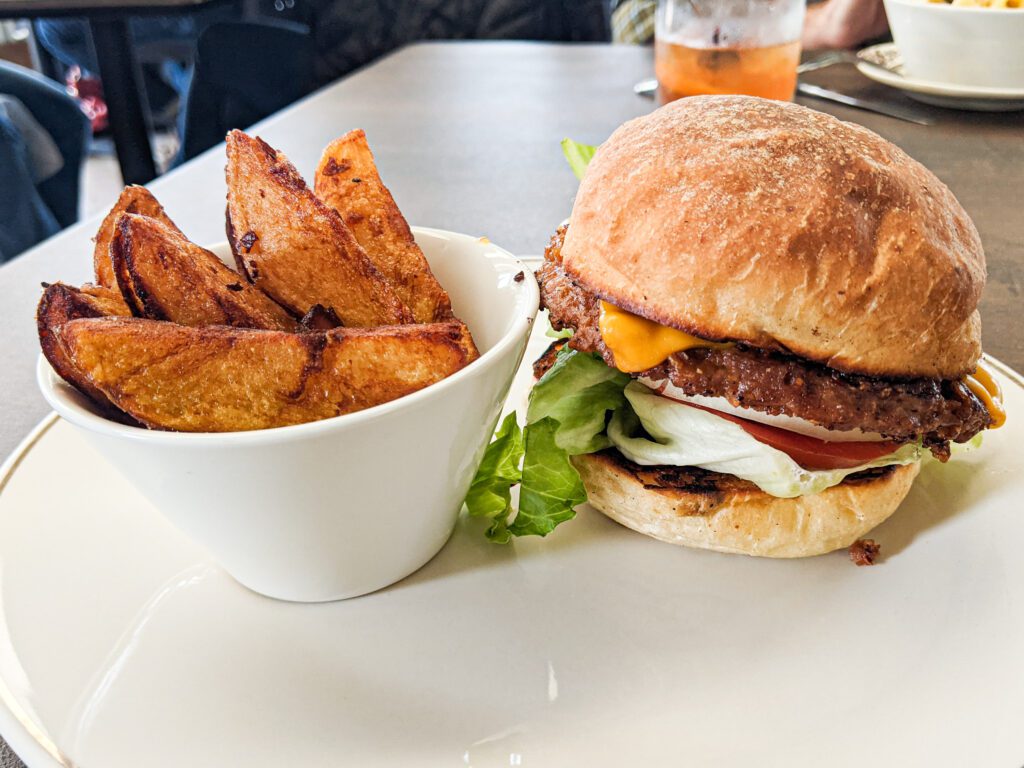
[{"x": 569, "y": 415}]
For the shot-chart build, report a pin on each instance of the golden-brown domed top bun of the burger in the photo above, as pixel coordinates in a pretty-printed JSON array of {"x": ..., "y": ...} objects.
[{"x": 744, "y": 220}]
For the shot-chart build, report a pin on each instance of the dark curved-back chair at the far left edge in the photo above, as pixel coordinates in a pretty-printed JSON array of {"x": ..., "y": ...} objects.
[{"x": 60, "y": 116}]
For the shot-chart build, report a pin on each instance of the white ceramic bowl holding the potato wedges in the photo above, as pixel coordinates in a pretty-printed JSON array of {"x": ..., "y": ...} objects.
[{"x": 346, "y": 506}]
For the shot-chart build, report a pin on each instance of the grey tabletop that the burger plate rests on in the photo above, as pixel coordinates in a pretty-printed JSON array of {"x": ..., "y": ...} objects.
[{"x": 467, "y": 137}]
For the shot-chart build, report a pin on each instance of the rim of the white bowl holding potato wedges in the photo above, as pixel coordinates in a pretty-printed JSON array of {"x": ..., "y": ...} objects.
[{"x": 60, "y": 395}]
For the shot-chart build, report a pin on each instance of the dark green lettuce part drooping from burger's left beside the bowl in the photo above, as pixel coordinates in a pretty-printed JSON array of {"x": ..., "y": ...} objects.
[{"x": 568, "y": 416}]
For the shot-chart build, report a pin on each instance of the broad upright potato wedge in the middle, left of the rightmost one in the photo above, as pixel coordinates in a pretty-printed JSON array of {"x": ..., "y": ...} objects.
[{"x": 295, "y": 248}]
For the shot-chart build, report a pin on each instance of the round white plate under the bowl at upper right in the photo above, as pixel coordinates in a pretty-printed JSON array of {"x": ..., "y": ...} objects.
[{"x": 883, "y": 64}]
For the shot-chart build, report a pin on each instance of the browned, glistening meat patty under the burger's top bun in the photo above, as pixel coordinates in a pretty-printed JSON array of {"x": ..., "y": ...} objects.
[{"x": 934, "y": 411}]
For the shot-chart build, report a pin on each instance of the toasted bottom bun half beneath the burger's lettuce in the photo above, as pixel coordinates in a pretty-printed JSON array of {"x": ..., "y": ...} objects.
[{"x": 697, "y": 508}]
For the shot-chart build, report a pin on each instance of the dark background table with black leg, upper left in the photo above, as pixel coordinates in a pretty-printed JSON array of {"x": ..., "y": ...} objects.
[{"x": 119, "y": 68}]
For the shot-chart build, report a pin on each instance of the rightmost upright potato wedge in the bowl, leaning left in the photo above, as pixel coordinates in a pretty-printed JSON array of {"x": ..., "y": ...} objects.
[{"x": 348, "y": 181}]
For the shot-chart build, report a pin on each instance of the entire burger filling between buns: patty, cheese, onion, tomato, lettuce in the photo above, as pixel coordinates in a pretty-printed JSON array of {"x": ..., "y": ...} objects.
[{"x": 786, "y": 425}]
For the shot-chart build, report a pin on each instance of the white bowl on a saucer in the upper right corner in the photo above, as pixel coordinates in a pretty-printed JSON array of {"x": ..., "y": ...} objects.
[{"x": 962, "y": 47}]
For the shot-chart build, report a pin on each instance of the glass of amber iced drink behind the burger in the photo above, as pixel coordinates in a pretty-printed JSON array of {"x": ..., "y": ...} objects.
[{"x": 728, "y": 47}]
